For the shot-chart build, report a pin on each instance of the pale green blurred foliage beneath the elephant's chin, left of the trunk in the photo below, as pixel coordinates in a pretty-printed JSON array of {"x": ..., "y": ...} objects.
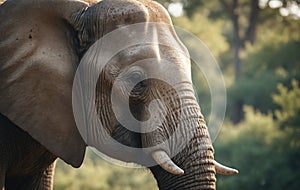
[{"x": 96, "y": 173}]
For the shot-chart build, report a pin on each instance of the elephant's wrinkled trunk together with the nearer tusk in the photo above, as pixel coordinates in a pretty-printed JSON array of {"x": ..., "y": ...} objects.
[{"x": 185, "y": 153}]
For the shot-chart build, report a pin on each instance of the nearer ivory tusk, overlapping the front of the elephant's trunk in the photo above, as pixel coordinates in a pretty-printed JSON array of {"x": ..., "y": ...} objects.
[{"x": 162, "y": 158}]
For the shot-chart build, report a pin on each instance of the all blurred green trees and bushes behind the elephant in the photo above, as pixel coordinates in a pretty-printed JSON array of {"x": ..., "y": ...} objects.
[{"x": 257, "y": 44}]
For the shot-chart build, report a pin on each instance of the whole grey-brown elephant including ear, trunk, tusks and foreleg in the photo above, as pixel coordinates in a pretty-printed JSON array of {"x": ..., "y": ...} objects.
[{"x": 42, "y": 43}]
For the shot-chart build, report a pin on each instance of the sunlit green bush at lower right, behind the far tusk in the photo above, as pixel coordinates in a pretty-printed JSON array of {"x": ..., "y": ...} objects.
[{"x": 266, "y": 154}]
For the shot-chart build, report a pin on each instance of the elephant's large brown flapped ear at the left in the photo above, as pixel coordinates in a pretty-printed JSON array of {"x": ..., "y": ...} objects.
[{"x": 38, "y": 60}]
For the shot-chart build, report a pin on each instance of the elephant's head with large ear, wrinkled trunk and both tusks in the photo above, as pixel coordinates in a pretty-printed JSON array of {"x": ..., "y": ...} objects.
[{"x": 41, "y": 47}]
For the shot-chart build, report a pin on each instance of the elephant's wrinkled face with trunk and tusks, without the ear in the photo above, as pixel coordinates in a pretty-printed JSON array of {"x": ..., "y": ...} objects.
[{"x": 130, "y": 85}]
